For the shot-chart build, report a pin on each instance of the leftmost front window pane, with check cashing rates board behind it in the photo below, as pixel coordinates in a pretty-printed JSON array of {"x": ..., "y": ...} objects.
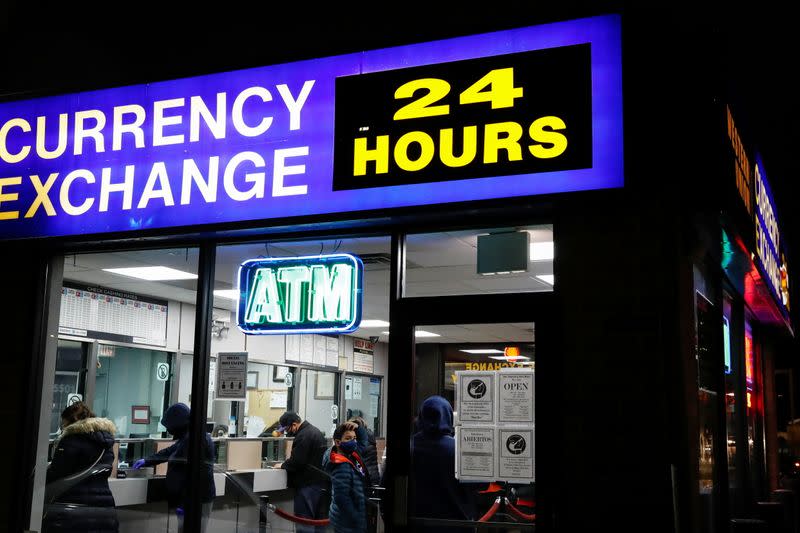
[{"x": 121, "y": 322}]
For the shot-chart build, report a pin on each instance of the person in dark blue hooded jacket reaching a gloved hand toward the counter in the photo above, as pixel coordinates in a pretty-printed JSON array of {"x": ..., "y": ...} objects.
[{"x": 176, "y": 420}]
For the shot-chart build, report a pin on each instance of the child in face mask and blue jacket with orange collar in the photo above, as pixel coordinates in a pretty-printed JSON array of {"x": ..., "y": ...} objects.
[{"x": 349, "y": 479}]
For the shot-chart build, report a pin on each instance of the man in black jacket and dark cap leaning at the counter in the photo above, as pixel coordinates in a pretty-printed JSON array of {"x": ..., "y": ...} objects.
[{"x": 304, "y": 468}]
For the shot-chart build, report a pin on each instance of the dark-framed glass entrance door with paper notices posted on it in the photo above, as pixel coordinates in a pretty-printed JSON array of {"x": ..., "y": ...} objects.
[{"x": 480, "y": 360}]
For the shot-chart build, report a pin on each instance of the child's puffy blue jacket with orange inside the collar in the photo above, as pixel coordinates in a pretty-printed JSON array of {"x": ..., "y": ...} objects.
[{"x": 348, "y": 510}]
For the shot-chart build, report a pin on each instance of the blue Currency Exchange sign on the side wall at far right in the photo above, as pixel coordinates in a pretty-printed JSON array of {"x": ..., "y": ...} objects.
[{"x": 768, "y": 239}]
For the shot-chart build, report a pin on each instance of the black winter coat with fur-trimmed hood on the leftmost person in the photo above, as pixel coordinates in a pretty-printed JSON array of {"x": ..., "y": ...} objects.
[{"x": 79, "y": 446}]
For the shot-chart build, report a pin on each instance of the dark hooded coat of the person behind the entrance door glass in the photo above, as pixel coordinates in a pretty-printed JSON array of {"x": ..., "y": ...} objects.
[{"x": 436, "y": 493}]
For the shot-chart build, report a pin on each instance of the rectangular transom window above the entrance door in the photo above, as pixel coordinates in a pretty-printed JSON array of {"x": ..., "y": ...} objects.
[{"x": 494, "y": 260}]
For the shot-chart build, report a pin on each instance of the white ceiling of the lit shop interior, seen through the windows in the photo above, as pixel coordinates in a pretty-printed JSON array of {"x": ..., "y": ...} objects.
[{"x": 437, "y": 264}]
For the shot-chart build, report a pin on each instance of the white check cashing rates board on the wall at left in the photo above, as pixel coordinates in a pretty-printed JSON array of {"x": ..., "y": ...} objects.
[{"x": 106, "y": 314}]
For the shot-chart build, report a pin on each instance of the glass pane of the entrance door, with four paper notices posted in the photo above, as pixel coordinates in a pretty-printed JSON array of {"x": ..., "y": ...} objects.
[{"x": 484, "y": 375}]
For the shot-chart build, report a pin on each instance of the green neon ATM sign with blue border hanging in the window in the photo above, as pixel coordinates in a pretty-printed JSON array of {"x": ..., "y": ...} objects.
[{"x": 319, "y": 294}]
